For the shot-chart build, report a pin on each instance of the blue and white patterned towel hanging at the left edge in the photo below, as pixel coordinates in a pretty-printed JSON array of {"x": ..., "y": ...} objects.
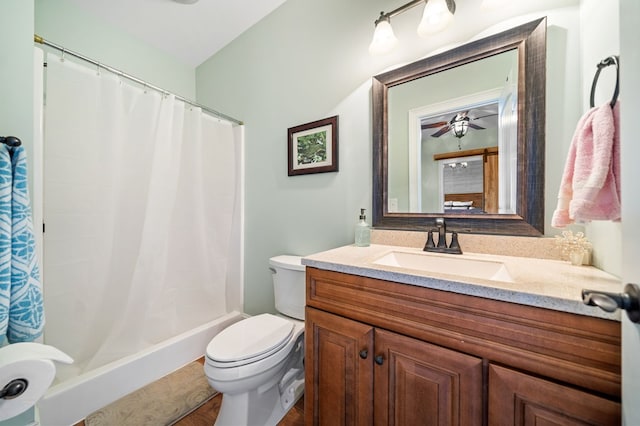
[{"x": 21, "y": 304}]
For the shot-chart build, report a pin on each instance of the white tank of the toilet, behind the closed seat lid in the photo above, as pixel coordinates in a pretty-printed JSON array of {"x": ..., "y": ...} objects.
[{"x": 289, "y": 285}]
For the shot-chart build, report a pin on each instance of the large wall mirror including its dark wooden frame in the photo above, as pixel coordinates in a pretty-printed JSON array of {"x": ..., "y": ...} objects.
[{"x": 461, "y": 135}]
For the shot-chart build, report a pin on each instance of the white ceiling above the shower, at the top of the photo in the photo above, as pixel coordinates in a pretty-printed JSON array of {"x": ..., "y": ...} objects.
[{"x": 191, "y": 33}]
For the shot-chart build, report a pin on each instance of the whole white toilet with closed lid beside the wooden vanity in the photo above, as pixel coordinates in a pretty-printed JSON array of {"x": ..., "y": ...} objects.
[{"x": 257, "y": 363}]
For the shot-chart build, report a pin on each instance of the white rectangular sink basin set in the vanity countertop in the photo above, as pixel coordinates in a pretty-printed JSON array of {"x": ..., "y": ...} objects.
[{"x": 447, "y": 264}]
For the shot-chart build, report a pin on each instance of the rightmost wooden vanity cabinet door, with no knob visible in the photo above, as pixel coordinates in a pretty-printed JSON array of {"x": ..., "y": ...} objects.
[{"x": 519, "y": 399}]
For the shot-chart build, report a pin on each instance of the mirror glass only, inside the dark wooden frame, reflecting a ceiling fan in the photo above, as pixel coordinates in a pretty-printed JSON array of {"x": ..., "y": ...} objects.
[{"x": 422, "y": 122}]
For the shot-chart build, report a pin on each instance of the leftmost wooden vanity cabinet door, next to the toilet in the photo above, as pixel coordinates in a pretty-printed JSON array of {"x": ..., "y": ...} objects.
[{"x": 338, "y": 370}]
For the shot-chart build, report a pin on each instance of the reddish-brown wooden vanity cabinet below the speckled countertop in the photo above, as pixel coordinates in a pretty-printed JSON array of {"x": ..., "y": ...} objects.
[{"x": 384, "y": 353}]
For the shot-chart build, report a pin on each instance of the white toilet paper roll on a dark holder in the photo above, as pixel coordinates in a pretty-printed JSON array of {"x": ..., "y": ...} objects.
[{"x": 38, "y": 373}]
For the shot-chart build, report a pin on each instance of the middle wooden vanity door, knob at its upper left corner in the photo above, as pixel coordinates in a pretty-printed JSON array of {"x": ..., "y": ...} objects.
[{"x": 417, "y": 383}]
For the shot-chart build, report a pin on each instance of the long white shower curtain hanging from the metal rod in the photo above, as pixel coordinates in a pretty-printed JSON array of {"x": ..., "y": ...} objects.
[{"x": 140, "y": 194}]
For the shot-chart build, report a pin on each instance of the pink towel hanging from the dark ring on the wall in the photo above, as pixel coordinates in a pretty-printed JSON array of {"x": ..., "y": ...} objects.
[{"x": 590, "y": 187}]
